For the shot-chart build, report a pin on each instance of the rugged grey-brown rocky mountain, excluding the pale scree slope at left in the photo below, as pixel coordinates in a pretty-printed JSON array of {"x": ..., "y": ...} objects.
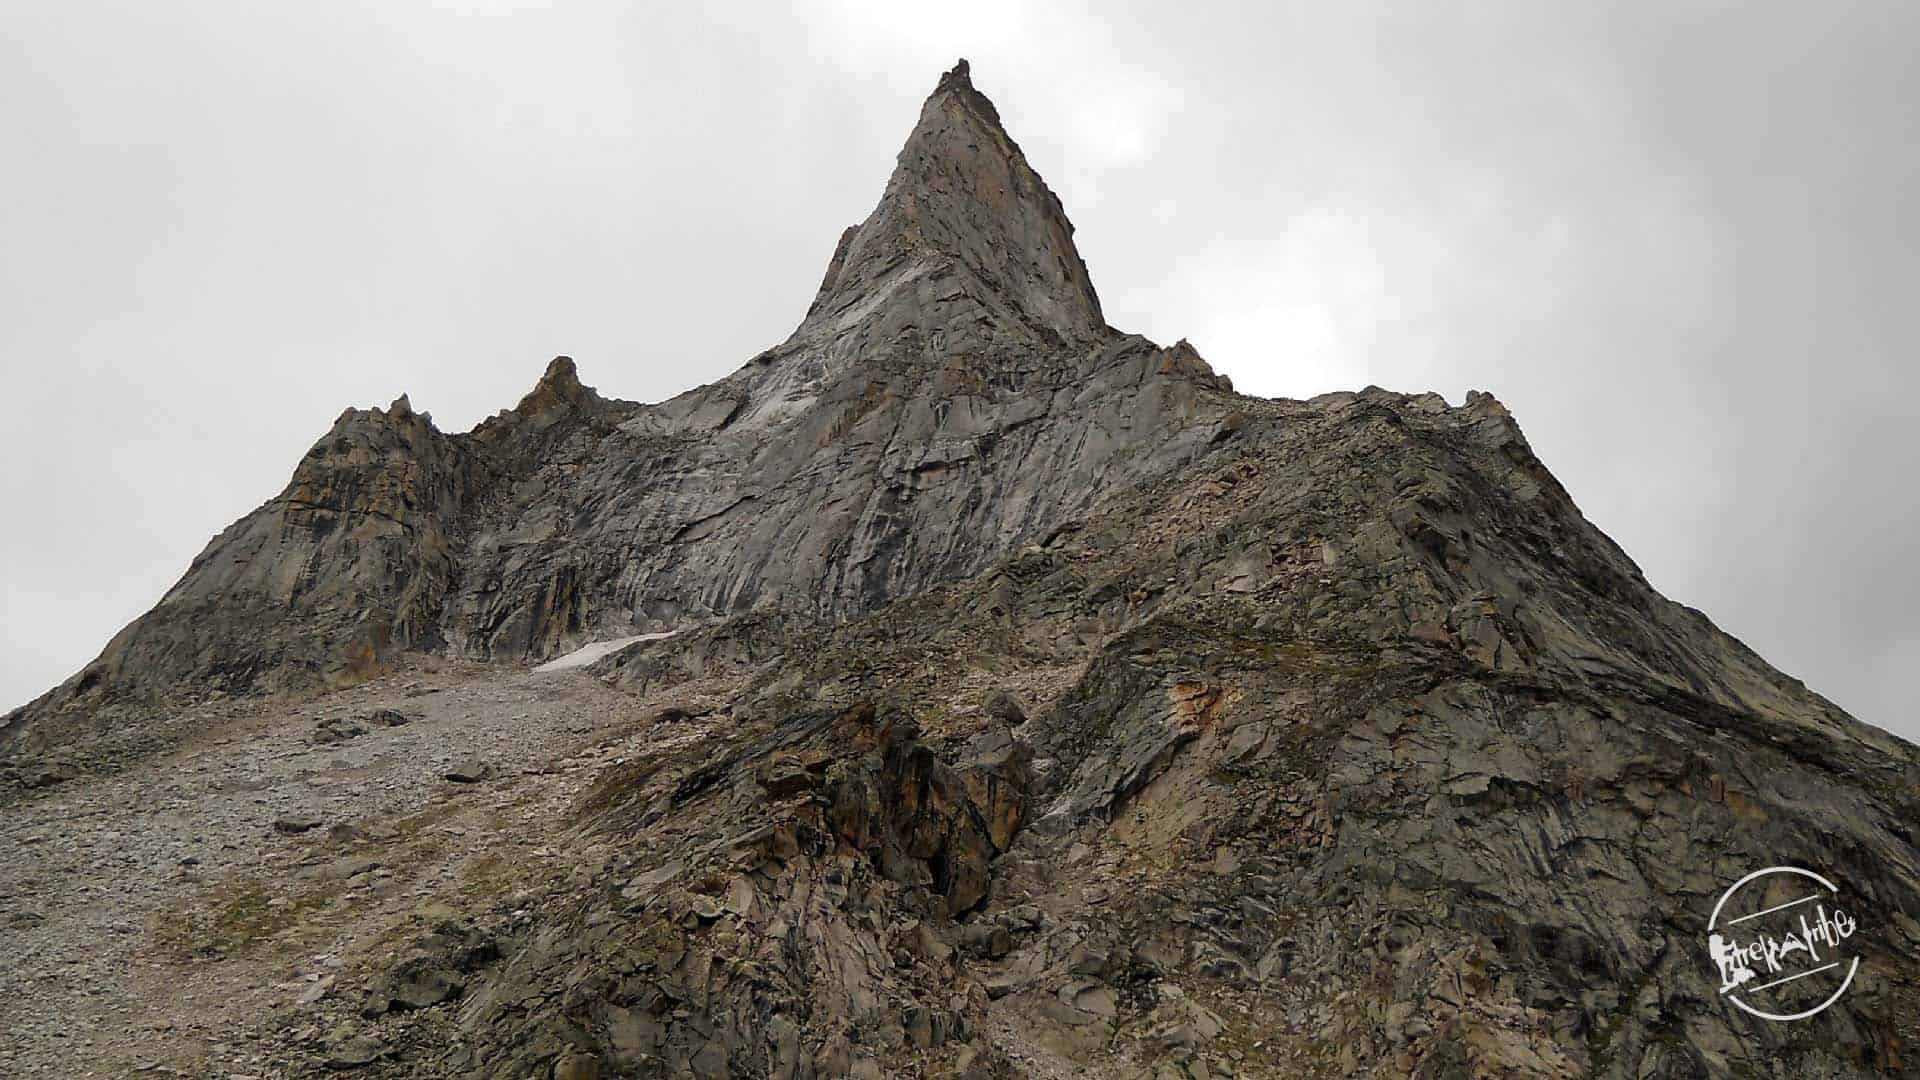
[{"x": 1061, "y": 712}]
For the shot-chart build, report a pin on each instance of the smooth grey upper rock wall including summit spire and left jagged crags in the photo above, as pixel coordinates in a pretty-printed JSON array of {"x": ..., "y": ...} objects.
[{"x": 953, "y": 395}]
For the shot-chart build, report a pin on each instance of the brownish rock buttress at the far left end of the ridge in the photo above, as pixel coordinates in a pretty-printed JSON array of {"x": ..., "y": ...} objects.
[{"x": 324, "y": 583}]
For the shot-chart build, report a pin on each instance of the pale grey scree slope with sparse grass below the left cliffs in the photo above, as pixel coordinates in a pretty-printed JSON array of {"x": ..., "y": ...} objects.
[{"x": 155, "y": 921}]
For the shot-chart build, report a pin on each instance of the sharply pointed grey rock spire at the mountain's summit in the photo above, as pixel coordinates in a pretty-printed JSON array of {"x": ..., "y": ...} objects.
[{"x": 965, "y": 224}]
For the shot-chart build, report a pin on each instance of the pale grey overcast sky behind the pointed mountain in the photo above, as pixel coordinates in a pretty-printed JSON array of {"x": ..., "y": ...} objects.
[{"x": 1679, "y": 241}]
